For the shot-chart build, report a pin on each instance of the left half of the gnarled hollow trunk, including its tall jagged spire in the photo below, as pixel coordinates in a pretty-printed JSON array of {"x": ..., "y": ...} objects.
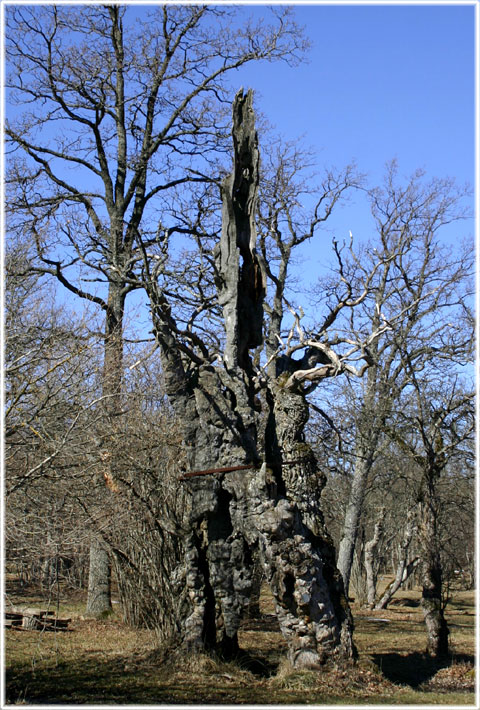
[{"x": 222, "y": 429}]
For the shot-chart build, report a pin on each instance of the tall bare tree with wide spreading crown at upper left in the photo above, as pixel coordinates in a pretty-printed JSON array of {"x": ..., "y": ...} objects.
[{"x": 115, "y": 113}]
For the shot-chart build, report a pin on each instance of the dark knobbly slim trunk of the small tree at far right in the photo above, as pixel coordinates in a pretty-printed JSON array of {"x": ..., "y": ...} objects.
[{"x": 431, "y": 601}]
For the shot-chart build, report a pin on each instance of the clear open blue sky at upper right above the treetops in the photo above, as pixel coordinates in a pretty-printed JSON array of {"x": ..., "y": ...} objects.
[{"x": 382, "y": 82}]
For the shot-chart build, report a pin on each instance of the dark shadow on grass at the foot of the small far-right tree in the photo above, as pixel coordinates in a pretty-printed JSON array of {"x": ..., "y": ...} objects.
[{"x": 413, "y": 669}]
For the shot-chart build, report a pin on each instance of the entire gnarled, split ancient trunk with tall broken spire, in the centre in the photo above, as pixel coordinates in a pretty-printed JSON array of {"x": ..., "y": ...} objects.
[{"x": 270, "y": 509}]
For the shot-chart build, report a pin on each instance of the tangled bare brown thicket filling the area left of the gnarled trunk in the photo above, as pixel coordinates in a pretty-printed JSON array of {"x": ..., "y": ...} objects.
[{"x": 55, "y": 483}]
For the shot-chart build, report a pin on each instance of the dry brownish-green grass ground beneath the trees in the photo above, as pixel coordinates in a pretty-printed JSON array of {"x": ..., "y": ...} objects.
[{"x": 106, "y": 662}]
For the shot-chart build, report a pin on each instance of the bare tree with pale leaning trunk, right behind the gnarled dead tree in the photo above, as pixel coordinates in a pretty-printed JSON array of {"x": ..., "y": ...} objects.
[{"x": 423, "y": 287}]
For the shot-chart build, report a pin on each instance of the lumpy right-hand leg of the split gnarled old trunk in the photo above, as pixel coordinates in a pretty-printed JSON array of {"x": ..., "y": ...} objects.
[{"x": 299, "y": 554}]
